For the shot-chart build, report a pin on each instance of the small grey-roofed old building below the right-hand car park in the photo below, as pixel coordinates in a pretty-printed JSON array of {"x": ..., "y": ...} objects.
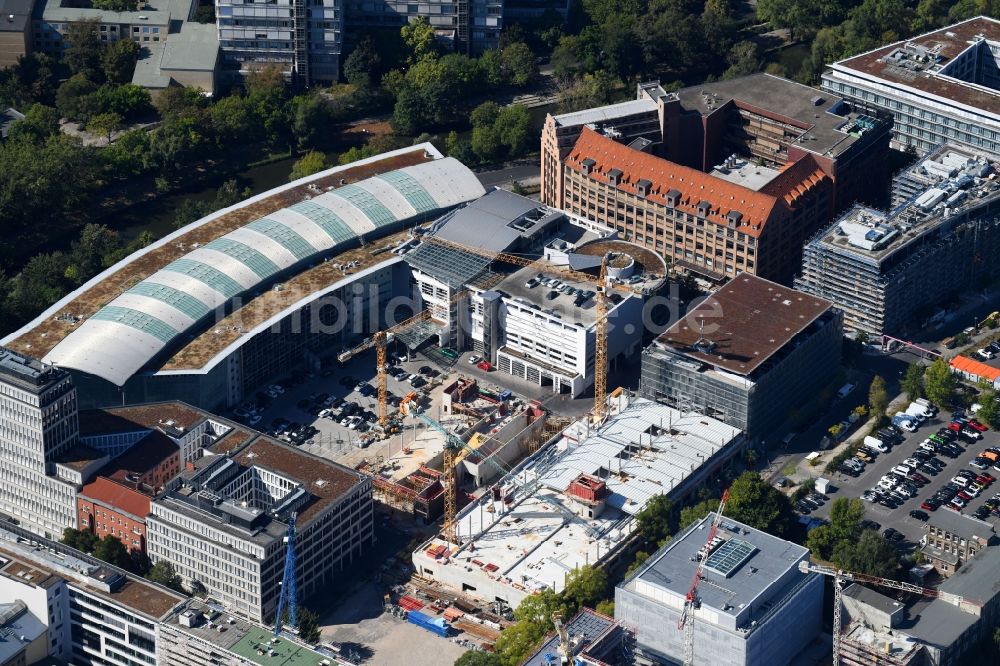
[{"x": 952, "y": 539}]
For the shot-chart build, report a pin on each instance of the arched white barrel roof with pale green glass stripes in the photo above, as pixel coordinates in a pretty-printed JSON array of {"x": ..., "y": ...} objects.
[{"x": 133, "y": 328}]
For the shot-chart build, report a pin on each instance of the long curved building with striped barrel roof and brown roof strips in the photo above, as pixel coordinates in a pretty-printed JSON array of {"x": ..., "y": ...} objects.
[{"x": 225, "y": 304}]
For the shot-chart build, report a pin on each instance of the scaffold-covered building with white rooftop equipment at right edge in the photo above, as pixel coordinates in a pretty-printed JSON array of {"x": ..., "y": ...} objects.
[{"x": 887, "y": 270}]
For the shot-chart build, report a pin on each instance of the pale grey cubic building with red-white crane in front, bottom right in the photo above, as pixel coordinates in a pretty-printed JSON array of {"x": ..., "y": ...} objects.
[{"x": 754, "y": 604}]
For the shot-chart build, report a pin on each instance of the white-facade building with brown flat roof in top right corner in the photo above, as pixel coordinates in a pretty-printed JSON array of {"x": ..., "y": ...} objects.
[{"x": 939, "y": 87}]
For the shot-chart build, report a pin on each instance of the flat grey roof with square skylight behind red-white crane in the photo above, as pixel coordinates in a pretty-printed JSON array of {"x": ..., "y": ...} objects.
[{"x": 671, "y": 567}]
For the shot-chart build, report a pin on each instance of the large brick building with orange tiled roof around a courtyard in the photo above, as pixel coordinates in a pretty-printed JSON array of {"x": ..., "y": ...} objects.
[{"x": 727, "y": 178}]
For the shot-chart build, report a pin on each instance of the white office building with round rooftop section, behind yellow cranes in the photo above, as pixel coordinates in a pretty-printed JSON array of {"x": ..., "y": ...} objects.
[{"x": 535, "y": 325}]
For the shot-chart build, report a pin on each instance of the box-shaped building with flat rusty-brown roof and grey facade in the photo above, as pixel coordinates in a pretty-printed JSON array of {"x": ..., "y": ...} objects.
[{"x": 748, "y": 355}]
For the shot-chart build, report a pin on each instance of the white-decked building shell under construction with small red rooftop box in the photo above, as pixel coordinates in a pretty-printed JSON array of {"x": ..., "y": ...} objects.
[{"x": 573, "y": 502}]
